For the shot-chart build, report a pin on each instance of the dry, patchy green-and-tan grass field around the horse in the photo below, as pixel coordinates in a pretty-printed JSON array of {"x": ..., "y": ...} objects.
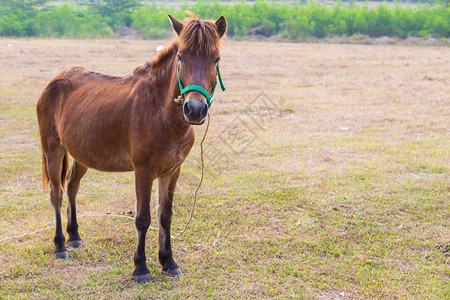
[{"x": 327, "y": 177}]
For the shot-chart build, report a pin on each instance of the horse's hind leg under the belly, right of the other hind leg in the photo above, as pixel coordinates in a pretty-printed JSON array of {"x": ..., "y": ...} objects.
[{"x": 76, "y": 173}]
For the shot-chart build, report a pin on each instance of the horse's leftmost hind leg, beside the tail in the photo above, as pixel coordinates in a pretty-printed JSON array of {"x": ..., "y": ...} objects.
[{"x": 55, "y": 156}]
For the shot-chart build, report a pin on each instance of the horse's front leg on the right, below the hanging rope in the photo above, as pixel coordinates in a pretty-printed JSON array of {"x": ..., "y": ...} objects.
[{"x": 166, "y": 189}]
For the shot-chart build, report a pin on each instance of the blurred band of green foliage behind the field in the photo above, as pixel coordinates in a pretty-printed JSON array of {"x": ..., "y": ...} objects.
[{"x": 293, "y": 21}]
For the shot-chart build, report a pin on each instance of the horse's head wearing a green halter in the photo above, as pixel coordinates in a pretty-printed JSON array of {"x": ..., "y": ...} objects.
[{"x": 198, "y": 64}]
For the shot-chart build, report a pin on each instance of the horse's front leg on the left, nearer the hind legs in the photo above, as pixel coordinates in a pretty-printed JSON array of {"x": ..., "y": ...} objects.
[{"x": 144, "y": 181}]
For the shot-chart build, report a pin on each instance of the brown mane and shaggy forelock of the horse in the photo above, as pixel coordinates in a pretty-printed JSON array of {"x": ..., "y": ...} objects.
[{"x": 196, "y": 34}]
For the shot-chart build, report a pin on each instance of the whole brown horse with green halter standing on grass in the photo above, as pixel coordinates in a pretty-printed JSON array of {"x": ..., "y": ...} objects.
[{"x": 130, "y": 123}]
